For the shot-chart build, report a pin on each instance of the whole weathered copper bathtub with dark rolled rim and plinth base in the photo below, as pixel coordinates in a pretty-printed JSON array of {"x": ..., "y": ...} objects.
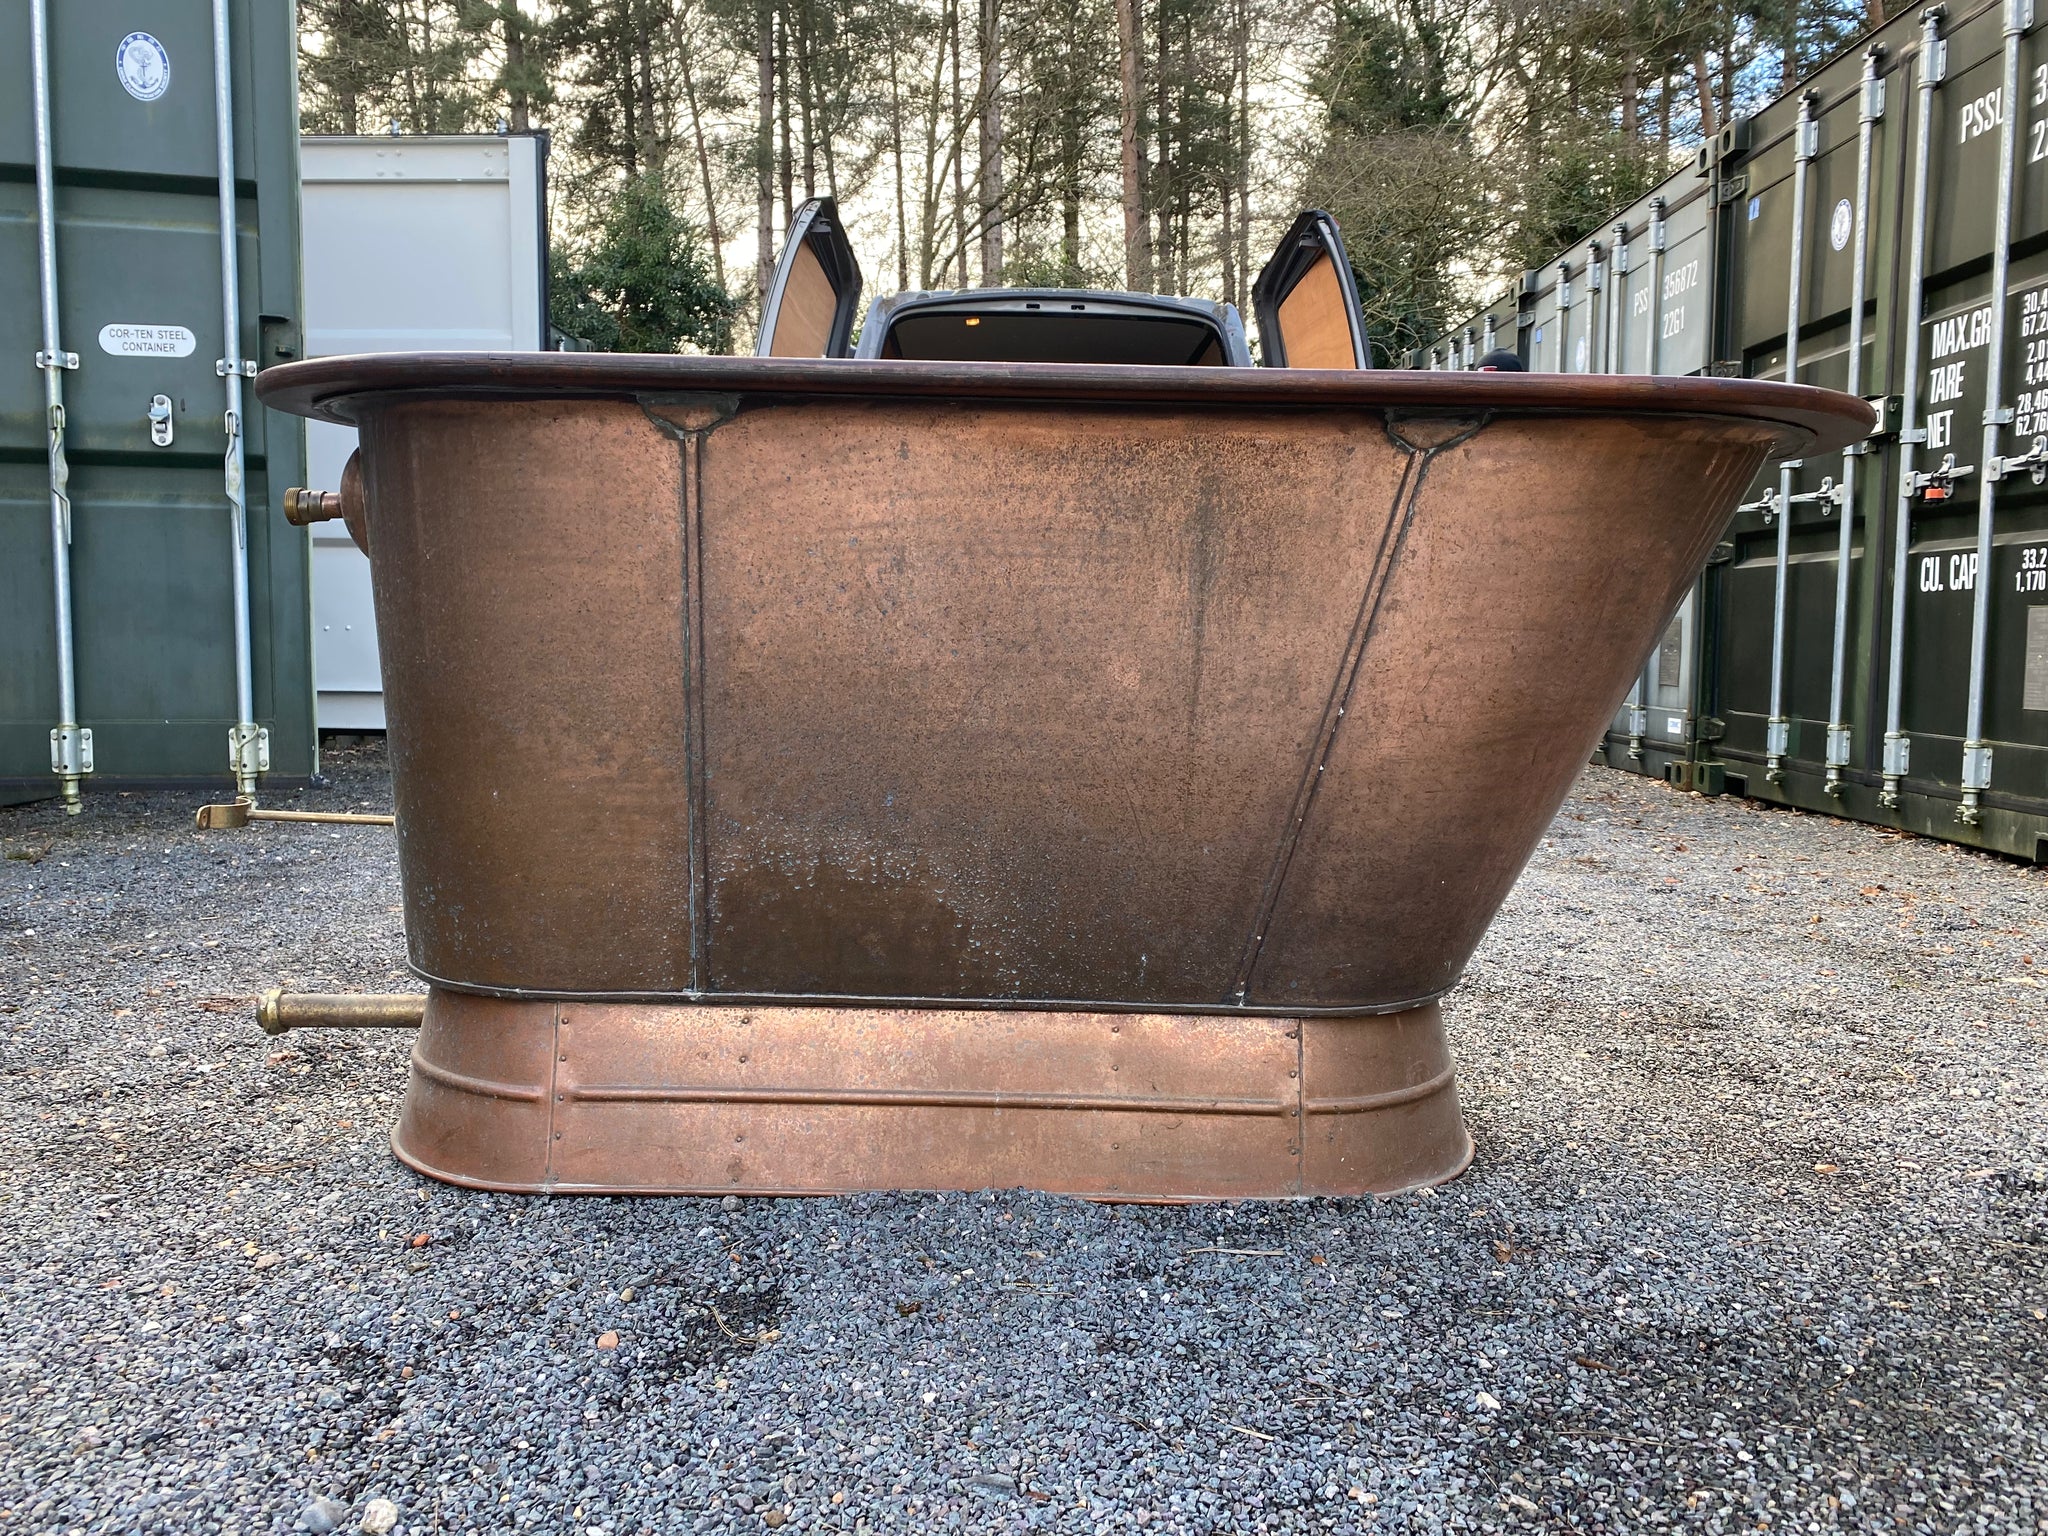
[{"x": 759, "y": 724}]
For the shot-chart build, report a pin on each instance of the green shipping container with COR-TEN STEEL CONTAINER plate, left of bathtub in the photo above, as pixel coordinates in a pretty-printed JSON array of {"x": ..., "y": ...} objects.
[{"x": 153, "y": 597}]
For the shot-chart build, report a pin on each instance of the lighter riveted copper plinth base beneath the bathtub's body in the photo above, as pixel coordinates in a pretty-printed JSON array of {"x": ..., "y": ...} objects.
[{"x": 648, "y": 1099}]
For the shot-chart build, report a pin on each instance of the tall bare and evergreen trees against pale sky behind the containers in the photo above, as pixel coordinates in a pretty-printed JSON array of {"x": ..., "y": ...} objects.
[{"x": 1123, "y": 144}]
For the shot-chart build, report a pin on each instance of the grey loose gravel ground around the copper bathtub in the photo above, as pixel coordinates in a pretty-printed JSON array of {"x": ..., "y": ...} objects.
[{"x": 1756, "y": 1240}]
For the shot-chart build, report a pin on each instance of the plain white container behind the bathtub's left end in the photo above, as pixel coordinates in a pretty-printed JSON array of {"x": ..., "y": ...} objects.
[{"x": 413, "y": 245}]
